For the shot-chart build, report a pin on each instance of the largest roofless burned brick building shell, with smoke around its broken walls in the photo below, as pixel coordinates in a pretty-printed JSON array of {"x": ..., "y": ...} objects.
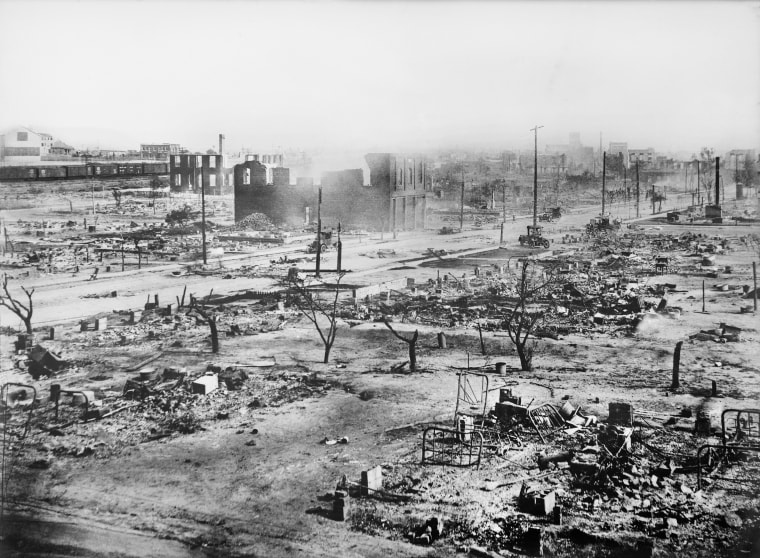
[{"x": 394, "y": 199}]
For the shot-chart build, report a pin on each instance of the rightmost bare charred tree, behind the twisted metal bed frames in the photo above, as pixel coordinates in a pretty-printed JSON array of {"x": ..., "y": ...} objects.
[{"x": 523, "y": 319}]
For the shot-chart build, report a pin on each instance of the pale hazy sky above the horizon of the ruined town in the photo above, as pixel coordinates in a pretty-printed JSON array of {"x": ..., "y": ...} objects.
[{"x": 382, "y": 75}]
